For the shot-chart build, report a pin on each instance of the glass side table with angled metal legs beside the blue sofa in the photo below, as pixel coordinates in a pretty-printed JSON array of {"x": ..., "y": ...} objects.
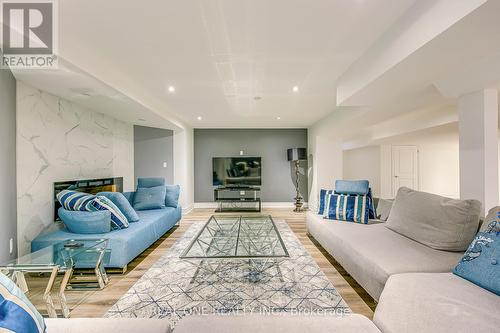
[{"x": 58, "y": 258}]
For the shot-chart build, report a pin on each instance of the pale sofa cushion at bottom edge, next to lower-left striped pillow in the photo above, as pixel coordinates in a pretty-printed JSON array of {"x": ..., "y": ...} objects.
[{"x": 103, "y": 325}]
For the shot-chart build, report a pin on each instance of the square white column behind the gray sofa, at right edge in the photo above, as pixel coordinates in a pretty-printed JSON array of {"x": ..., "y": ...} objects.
[{"x": 478, "y": 128}]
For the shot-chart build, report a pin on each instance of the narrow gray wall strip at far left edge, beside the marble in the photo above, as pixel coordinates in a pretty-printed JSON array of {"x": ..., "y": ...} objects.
[{"x": 8, "y": 204}]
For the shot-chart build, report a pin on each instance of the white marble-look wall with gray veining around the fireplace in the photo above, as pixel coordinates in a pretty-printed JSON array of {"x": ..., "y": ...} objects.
[{"x": 58, "y": 140}]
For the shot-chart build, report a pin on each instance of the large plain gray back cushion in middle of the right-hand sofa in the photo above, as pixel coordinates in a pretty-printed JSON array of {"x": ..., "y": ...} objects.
[{"x": 433, "y": 220}]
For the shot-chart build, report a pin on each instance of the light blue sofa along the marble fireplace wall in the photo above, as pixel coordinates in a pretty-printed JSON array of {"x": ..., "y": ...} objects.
[{"x": 125, "y": 244}]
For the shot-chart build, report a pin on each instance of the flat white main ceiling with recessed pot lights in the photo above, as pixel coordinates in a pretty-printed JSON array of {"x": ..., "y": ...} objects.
[{"x": 221, "y": 54}]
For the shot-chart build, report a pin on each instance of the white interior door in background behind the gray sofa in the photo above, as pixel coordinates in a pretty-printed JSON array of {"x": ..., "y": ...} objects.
[{"x": 404, "y": 167}]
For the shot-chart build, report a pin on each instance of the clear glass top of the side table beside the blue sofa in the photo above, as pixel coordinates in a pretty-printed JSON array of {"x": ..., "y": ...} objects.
[{"x": 62, "y": 254}]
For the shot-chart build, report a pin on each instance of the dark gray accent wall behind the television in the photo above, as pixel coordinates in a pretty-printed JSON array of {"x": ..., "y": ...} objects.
[{"x": 271, "y": 144}]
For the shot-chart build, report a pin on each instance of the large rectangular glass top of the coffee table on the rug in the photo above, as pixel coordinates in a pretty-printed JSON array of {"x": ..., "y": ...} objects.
[{"x": 237, "y": 237}]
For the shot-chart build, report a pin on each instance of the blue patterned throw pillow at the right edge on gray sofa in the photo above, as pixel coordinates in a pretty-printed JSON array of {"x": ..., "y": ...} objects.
[{"x": 481, "y": 262}]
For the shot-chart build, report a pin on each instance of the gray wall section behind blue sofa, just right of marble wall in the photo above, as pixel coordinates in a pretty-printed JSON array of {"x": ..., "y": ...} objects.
[{"x": 152, "y": 148}]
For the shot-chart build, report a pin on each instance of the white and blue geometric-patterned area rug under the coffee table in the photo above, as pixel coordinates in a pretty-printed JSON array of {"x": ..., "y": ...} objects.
[{"x": 174, "y": 287}]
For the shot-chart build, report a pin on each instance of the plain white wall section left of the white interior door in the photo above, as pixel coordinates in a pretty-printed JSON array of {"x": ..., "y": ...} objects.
[{"x": 364, "y": 163}]
